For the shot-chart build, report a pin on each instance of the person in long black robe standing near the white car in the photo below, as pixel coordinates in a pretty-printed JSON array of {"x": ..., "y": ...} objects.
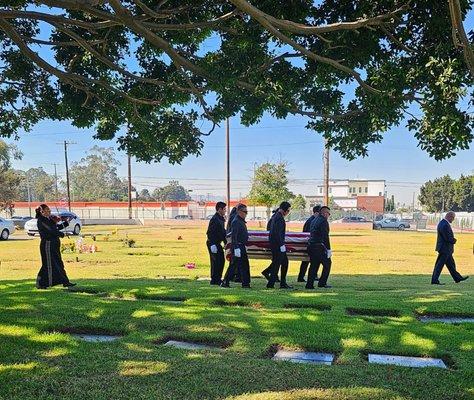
[{"x": 52, "y": 270}]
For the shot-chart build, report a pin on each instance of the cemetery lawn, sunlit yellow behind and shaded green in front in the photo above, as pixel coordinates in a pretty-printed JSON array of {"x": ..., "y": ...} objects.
[{"x": 147, "y": 295}]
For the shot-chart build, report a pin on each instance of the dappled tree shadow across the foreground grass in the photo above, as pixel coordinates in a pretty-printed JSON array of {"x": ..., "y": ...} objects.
[{"x": 27, "y": 315}]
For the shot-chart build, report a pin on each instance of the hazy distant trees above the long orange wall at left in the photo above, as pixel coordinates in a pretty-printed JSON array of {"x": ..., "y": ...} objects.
[{"x": 93, "y": 178}]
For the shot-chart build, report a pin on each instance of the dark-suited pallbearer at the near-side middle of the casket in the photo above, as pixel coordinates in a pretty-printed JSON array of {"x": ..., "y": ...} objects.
[{"x": 276, "y": 238}]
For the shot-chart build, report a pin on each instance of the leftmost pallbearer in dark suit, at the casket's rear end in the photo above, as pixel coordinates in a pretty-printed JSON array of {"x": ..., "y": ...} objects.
[{"x": 216, "y": 235}]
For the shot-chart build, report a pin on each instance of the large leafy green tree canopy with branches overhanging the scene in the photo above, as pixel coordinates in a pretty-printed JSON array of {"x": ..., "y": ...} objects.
[{"x": 354, "y": 68}]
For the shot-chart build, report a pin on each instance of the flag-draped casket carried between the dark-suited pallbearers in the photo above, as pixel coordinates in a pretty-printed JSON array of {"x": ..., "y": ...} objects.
[{"x": 258, "y": 246}]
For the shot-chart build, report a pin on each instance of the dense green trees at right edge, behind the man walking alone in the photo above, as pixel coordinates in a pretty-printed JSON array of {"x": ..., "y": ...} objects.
[{"x": 446, "y": 193}]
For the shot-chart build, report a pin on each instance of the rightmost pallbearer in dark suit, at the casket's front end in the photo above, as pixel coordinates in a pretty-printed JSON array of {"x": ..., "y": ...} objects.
[{"x": 319, "y": 249}]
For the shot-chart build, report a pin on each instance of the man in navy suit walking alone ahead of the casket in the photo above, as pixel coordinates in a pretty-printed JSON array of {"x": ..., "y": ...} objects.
[{"x": 445, "y": 248}]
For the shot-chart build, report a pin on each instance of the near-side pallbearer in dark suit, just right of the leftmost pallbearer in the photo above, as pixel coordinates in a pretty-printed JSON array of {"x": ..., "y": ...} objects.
[{"x": 239, "y": 239}]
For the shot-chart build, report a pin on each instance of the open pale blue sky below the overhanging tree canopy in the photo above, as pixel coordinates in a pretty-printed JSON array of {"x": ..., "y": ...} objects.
[{"x": 396, "y": 159}]
